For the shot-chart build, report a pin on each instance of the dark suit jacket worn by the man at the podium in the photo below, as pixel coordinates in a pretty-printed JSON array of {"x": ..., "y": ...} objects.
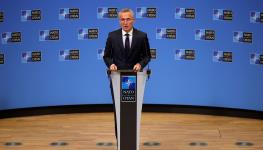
[{"x": 115, "y": 53}]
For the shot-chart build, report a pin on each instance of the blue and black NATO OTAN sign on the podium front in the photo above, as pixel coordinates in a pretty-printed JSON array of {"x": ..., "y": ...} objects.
[{"x": 128, "y": 88}]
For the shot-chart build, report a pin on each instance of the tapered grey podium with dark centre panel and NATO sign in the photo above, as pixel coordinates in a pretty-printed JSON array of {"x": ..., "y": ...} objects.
[{"x": 128, "y": 91}]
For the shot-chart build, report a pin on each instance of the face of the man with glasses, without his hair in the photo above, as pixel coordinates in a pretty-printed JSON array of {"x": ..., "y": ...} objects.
[{"x": 126, "y": 21}]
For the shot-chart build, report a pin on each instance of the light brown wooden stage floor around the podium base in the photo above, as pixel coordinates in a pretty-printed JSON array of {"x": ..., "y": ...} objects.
[{"x": 159, "y": 131}]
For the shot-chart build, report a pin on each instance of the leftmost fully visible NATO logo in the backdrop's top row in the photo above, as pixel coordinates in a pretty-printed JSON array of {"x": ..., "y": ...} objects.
[{"x": 28, "y": 15}]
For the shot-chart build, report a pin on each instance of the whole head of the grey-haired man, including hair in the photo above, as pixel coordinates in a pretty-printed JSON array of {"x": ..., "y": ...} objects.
[{"x": 126, "y": 17}]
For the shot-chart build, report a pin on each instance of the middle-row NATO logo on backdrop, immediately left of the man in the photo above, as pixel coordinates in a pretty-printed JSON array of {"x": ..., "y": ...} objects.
[{"x": 85, "y": 33}]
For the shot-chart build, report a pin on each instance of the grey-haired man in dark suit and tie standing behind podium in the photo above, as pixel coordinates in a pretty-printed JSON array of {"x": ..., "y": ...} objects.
[{"x": 126, "y": 48}]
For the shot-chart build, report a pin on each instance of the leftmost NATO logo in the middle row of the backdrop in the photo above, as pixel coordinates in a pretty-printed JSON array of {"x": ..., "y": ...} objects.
[{"x": 11, "y": 37}]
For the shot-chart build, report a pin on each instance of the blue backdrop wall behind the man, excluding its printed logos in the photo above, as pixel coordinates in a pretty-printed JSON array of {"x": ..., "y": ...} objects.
[{"x": 201, "y": 82}]
